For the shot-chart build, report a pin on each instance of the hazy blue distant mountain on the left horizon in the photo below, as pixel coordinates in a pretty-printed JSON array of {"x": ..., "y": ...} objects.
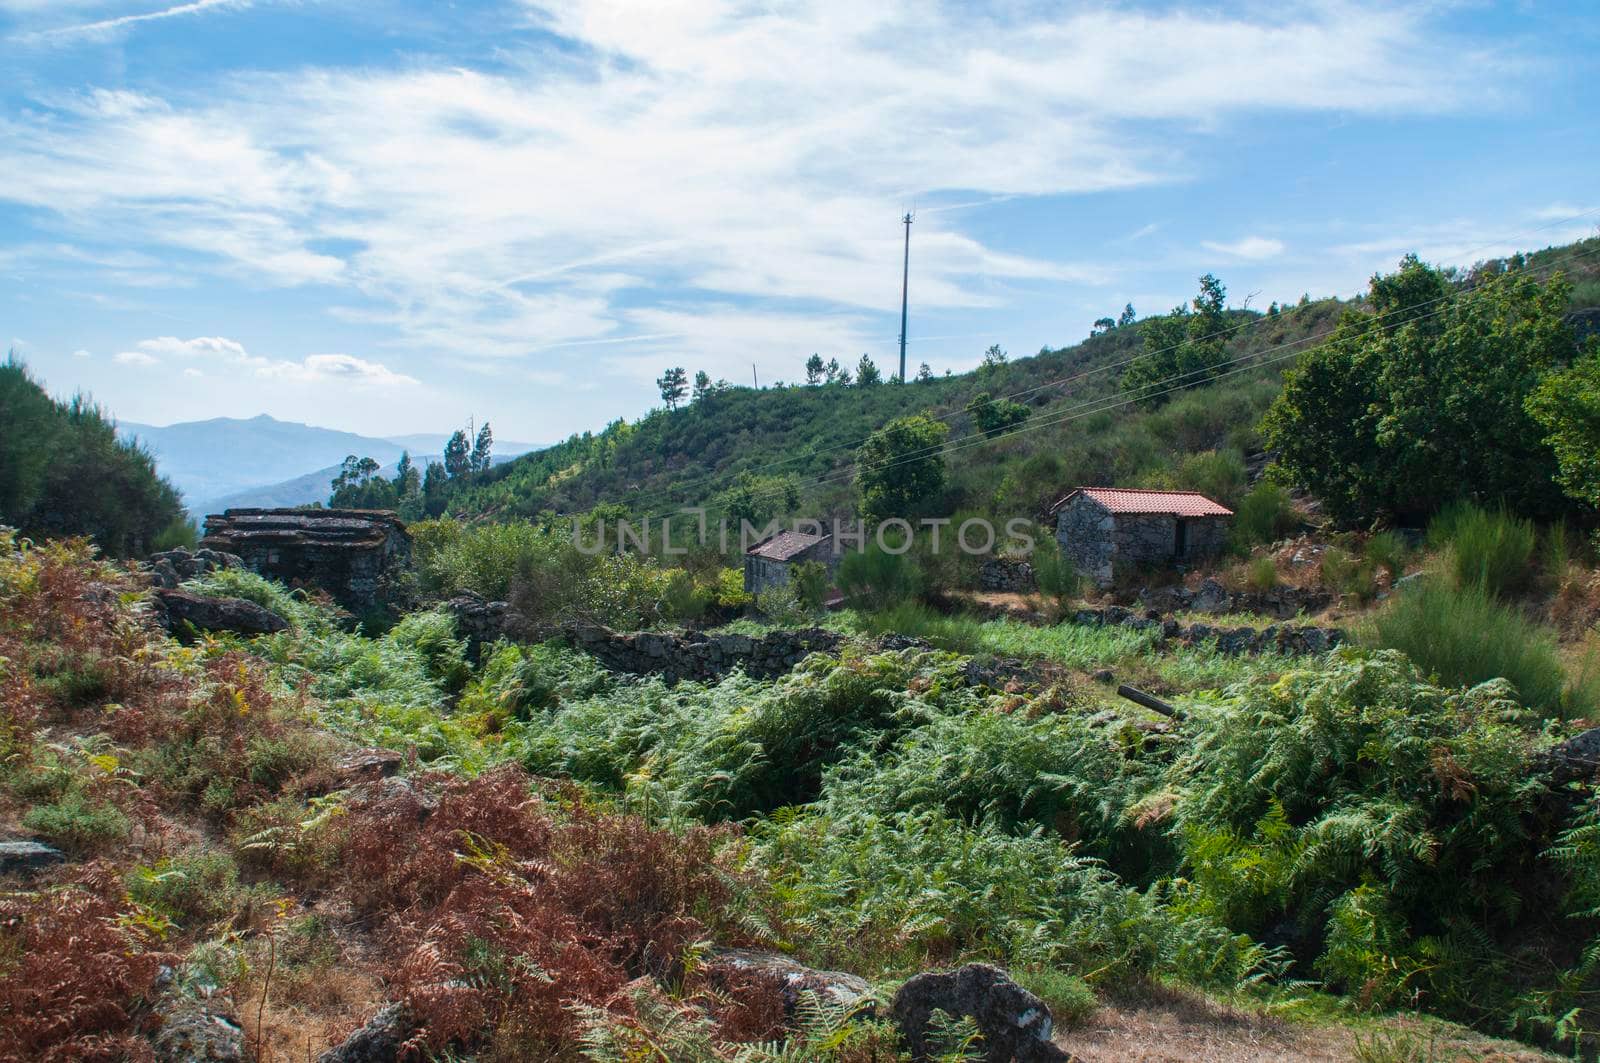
[{"x": 217, "y": 462}]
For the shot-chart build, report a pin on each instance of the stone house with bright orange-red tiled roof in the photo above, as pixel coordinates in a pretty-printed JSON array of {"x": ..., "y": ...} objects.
[{"x": 1110, "y": 531}]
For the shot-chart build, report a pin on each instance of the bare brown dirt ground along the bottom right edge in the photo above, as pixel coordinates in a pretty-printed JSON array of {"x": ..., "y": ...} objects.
[{"x": 1170, "y": 1027}]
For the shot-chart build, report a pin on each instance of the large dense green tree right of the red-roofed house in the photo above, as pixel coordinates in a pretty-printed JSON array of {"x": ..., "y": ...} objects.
[{"x": 1423, "y": 401}]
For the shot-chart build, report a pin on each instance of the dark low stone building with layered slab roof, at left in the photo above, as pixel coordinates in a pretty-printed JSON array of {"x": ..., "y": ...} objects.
[{"x": 350, "y": 553}]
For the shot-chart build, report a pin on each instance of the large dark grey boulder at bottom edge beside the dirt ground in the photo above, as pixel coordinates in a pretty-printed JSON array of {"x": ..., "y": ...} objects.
[{"x": 1014, "y": 1022}]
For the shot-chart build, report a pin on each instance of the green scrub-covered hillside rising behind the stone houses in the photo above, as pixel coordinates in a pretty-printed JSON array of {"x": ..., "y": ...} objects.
[{"x": 1081, "y": 430}]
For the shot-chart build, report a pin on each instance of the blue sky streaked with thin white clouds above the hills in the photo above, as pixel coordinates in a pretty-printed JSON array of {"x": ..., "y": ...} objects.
[{"x": 393, "y": 217}]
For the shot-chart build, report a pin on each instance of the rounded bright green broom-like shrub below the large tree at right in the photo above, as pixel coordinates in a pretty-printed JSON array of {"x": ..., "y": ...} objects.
[{"x": 1463, "y": 636}]
